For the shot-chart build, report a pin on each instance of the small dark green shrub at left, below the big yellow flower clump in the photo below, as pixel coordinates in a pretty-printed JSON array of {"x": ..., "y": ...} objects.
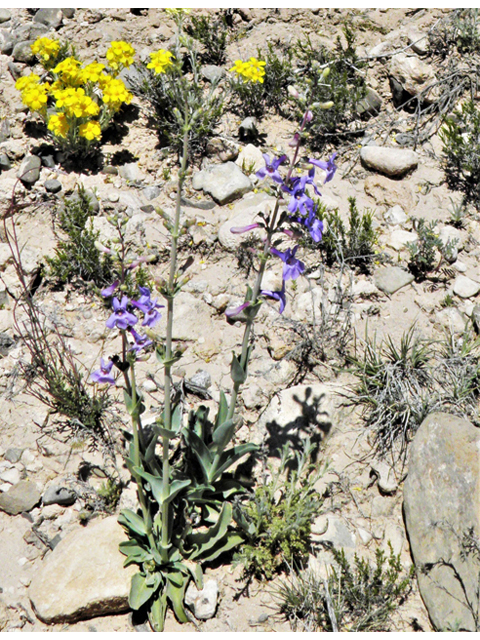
[{"x": 77, "y": 256}]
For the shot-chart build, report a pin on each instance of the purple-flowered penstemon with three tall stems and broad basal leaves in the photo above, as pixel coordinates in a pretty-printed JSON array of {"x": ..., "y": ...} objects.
[{"x": 184, "y": 519}]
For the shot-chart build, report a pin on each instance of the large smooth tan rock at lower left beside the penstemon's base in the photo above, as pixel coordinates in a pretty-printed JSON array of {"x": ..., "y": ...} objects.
[{"x": 84, "y": 576}]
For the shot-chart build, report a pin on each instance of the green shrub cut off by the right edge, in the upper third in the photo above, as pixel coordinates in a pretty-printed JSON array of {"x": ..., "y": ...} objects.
[{"x": 461, "y": 146}]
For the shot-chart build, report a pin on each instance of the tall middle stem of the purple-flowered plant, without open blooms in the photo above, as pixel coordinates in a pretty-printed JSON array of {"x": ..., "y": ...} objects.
[{"x": 175, "y": 234}]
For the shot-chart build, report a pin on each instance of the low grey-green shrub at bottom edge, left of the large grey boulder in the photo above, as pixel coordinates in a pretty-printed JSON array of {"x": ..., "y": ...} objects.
[{"x": 358, "y": 598}]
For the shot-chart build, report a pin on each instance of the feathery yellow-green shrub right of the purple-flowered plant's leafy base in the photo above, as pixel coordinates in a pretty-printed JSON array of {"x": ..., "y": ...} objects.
[{"x": 276, "y": 520}]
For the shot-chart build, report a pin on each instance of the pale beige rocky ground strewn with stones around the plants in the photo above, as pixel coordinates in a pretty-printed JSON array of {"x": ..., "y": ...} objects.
[{"x": 52, "y": 540}]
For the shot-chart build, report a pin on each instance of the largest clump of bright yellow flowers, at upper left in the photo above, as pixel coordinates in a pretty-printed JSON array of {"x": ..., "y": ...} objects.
[{"x": 84, "y": 98}]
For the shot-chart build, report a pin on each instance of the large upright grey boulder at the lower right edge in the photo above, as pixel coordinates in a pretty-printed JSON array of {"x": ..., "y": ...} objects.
[{"x": 441, "y": 506}]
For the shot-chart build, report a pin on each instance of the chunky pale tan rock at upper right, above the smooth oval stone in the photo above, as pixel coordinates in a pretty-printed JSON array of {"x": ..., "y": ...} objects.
[{"x": 414, "y": 76}]
